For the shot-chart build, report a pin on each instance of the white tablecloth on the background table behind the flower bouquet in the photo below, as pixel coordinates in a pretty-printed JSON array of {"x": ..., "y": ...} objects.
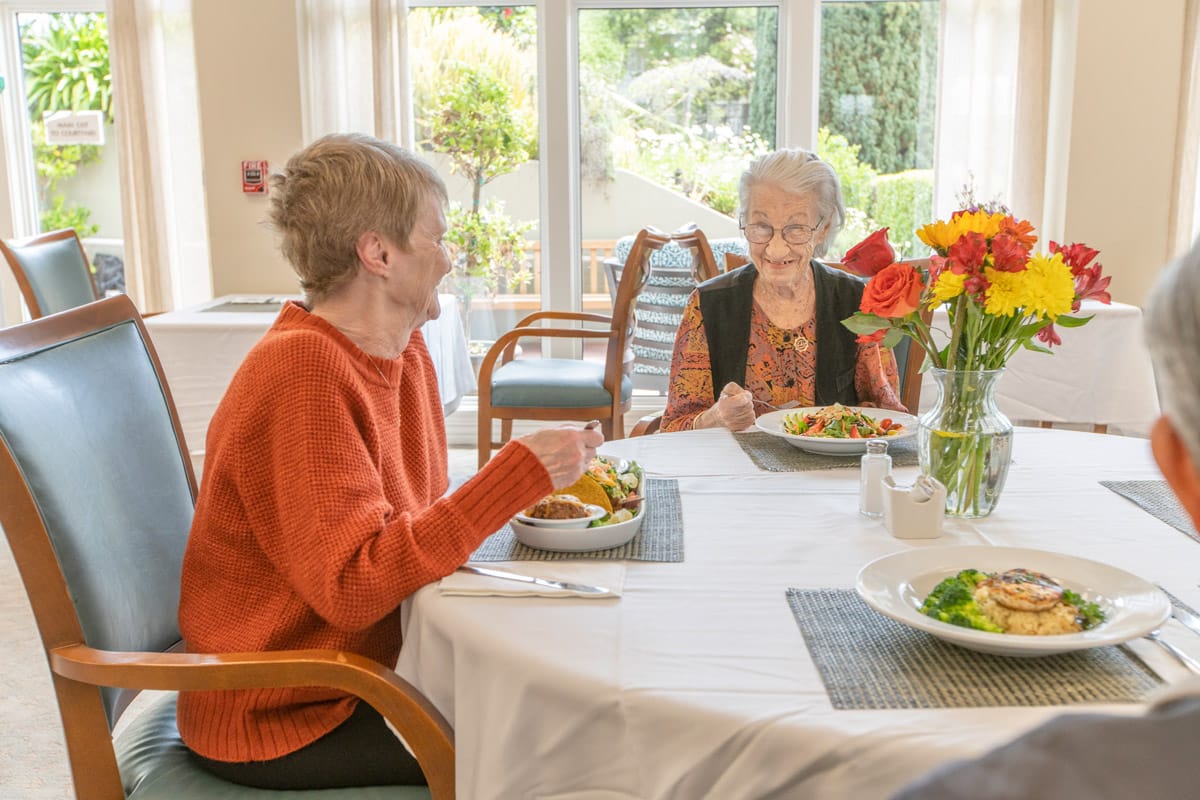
[{"x": 1100, "y": 375}]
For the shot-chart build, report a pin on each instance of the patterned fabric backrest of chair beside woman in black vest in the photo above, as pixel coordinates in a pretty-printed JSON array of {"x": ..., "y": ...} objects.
[{"x": 685, "y": 262}]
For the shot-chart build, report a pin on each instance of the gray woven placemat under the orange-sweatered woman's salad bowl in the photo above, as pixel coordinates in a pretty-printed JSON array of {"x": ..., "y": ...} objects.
[{"x": 659, "y": 540}]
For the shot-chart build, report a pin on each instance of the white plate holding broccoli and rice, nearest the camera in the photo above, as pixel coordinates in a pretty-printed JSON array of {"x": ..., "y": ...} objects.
[{"x": 896, "y": 586}]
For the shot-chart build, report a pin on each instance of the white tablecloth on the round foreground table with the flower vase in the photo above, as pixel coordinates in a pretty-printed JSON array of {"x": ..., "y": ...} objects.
[{"x": 698, "y": 682}]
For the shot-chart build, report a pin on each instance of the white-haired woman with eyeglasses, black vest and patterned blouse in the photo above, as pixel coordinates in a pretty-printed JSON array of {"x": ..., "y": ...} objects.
[{"x": 771, "y": 333}]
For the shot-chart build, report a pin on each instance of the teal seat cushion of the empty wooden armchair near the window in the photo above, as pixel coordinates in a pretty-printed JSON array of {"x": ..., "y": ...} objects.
[{"x": 567, "y": 383}]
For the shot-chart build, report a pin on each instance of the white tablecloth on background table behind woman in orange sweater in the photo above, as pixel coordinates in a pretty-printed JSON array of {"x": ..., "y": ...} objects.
[{"x": 201, "y": 351}]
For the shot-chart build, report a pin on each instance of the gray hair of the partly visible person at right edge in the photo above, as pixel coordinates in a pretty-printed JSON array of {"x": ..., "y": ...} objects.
[{"x": 1173, "y": 333}]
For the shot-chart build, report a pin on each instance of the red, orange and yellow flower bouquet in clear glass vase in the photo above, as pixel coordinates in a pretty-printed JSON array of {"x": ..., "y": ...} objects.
[{"x": 1000, "y": 297}]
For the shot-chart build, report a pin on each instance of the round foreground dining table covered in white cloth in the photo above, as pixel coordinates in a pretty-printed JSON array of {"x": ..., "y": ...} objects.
[{"x": 743, "y": 665}]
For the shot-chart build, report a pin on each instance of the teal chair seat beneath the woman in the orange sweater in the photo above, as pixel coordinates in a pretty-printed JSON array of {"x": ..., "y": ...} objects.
[{"x": 157, "y": 766}]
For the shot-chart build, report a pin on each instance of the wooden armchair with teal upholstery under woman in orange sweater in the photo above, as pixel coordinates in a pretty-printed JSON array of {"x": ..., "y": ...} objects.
[{"x": 97, "y": 501}]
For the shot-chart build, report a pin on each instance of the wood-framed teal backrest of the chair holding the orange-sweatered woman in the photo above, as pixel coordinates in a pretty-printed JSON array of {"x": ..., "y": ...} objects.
[{"x": 97, "y": 489}]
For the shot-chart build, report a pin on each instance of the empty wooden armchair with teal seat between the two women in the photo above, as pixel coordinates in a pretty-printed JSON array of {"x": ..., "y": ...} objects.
[{"x": 513, "y": 388}]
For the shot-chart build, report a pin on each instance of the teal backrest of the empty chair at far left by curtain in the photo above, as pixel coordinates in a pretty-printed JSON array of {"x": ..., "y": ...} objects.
[{"x": 52, "y": 272}]
